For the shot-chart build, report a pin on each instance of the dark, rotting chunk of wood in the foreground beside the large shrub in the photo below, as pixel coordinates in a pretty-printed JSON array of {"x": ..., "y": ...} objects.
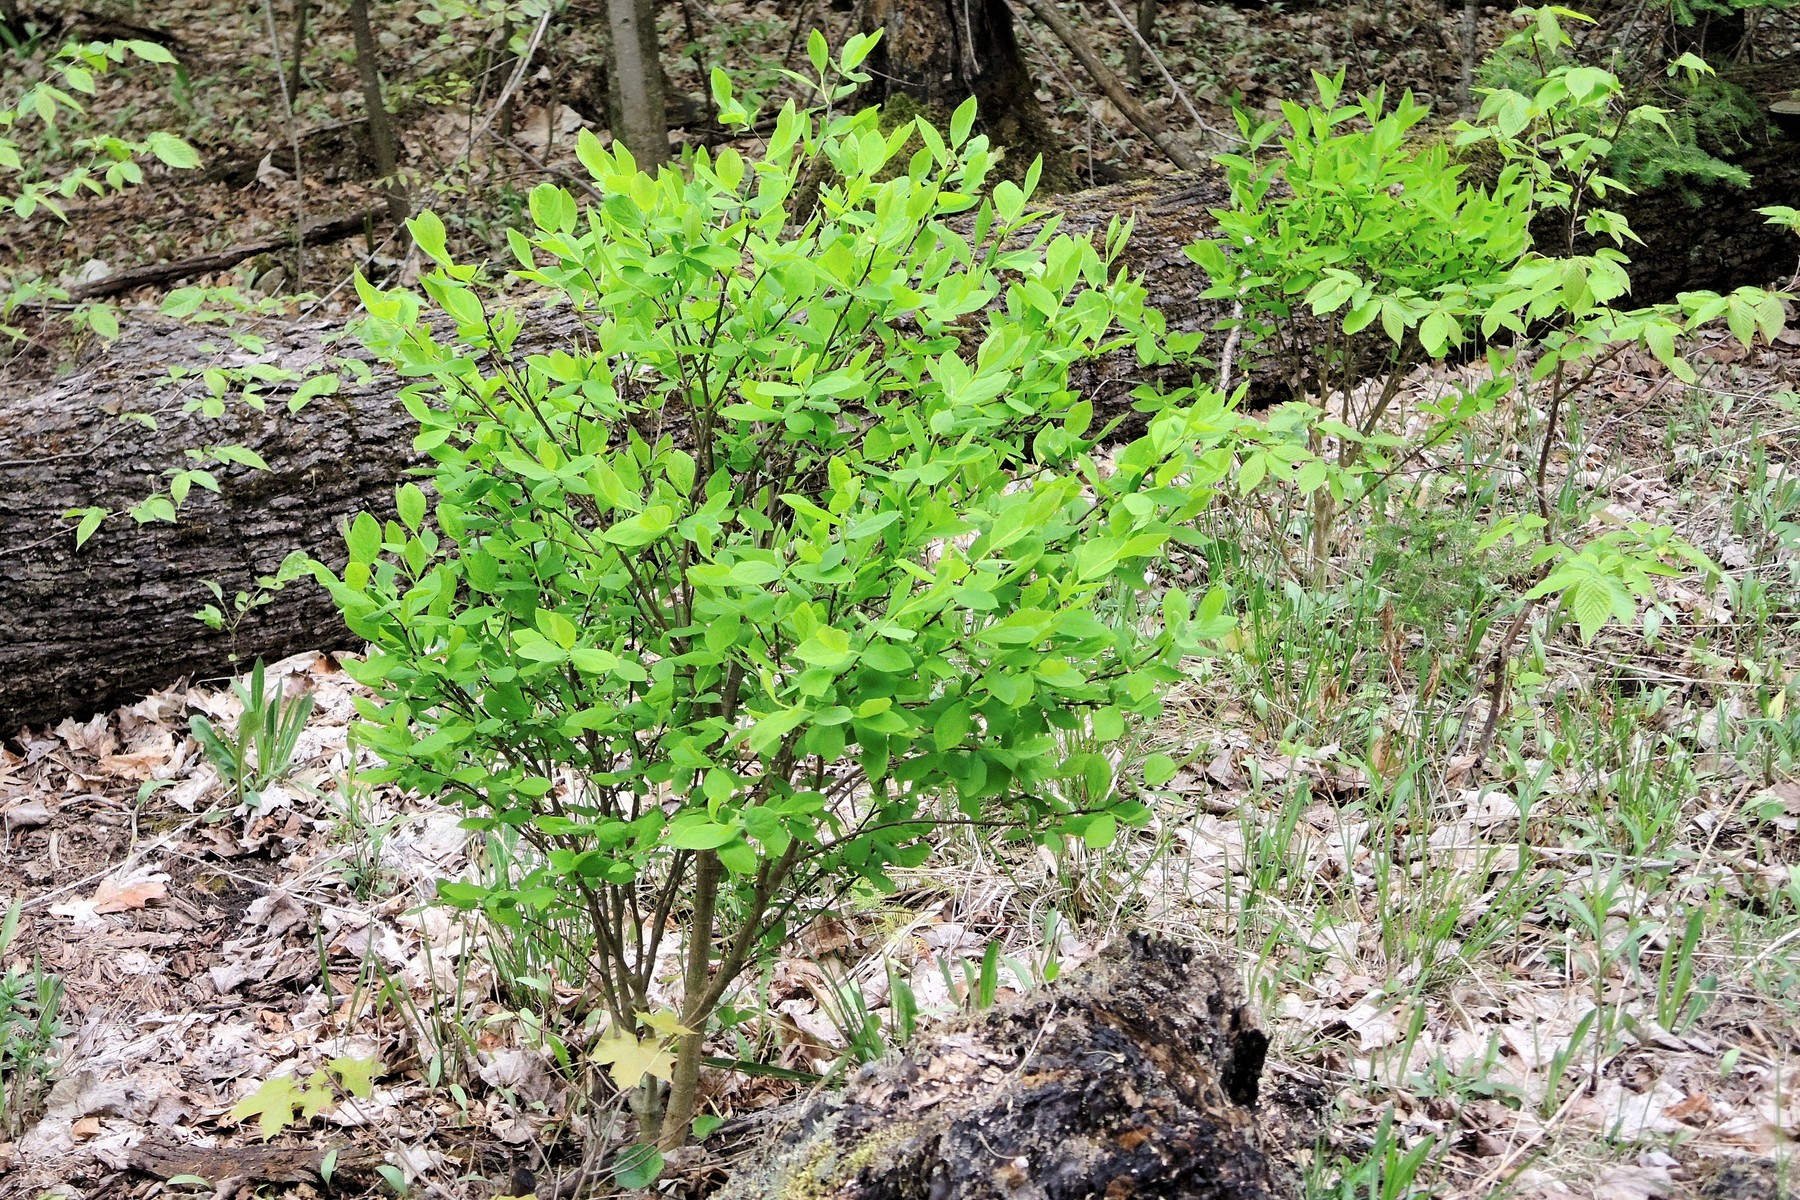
[{"x": 1135, "y": 1079}]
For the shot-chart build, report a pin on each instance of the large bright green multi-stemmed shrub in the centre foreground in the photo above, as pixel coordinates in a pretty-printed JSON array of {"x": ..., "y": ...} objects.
[{"x": 791, "y": 553}]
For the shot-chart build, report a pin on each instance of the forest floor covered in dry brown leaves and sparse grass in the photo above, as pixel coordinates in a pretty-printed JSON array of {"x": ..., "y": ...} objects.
[{"x": 1565, "y": 971}]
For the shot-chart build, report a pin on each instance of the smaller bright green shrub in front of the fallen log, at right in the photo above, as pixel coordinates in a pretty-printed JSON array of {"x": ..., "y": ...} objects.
[{"x": 1342, "y": 211}]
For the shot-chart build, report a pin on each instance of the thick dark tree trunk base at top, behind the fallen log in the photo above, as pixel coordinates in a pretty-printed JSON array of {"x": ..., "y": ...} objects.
[{"x": 939, "y": 53}]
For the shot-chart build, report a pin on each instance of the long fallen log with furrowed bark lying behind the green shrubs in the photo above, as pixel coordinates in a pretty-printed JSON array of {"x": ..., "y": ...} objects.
[{"x": 111, "y": 622}]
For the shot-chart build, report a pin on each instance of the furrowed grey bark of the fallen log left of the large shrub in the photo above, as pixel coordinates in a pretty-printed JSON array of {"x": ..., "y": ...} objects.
[{"x": 114, "y": 620}]
